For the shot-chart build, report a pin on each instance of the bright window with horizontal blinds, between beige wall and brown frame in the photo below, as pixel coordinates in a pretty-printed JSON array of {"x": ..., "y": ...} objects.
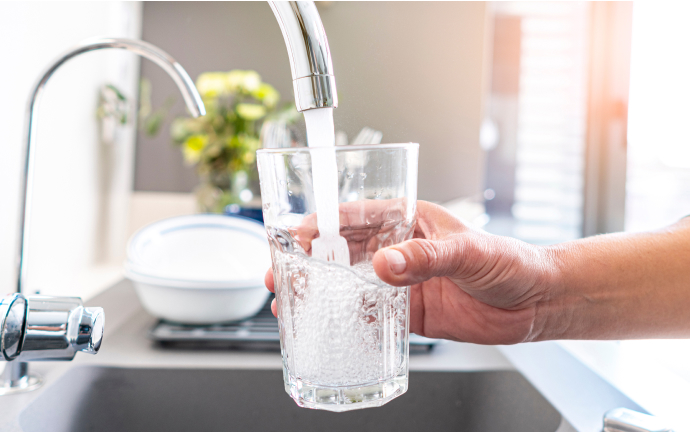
[{"x": 535, "y": 167}]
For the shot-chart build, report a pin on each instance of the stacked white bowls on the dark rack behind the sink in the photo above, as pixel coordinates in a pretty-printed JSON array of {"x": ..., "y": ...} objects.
[{"x": 200, "y": 269}]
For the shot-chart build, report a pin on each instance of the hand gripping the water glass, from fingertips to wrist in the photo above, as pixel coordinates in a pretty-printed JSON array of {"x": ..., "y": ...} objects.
[{"x": 466, "y": 285}]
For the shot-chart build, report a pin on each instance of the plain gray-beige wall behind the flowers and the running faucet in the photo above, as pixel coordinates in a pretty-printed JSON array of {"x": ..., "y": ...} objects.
[{"x": 415, "y": 71}]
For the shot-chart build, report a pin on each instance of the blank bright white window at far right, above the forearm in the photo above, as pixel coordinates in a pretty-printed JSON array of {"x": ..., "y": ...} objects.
[{"x": 658, "y": 178}]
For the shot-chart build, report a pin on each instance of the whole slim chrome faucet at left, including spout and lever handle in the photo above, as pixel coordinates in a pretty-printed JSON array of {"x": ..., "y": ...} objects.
[{"x": 34, "y": 328}]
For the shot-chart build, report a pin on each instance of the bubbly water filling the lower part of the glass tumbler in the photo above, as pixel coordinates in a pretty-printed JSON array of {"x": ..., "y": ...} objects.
[{"x": 348, "y": 326}]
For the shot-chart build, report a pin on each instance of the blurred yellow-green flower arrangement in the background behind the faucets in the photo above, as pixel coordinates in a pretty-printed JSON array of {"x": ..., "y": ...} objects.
[{"x": 223, "y": 143}]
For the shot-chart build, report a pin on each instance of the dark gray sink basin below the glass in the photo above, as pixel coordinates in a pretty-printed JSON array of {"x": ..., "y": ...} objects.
[{"x": 107, "y": 399}]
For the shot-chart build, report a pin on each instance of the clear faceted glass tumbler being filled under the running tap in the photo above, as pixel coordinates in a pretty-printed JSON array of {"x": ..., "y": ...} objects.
[{"x": 344, "y": 334}]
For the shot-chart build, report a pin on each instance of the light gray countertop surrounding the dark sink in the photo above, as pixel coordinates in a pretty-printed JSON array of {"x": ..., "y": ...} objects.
[{"x": 580, "y": 395}]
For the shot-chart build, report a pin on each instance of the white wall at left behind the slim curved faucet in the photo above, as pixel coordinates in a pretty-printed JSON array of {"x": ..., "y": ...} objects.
[{"x": 69, "y": 199}]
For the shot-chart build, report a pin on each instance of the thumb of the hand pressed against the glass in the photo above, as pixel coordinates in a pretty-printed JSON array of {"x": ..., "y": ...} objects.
[{"x": 418, "y": 260}]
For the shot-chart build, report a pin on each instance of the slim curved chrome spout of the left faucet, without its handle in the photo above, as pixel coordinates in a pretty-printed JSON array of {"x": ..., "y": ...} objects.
[{"x": 155, "y": 54}]
